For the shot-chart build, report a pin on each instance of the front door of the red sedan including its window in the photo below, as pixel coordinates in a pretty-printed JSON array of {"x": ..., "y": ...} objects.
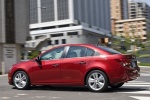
[{"x": 49, "y": 71}]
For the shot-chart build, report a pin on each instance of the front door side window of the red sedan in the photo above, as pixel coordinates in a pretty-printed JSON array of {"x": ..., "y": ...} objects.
[{"x": 53, "y": 54}]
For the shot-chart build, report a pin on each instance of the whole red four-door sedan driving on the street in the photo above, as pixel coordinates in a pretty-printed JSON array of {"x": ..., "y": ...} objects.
[{"x": 96, "y": 67}]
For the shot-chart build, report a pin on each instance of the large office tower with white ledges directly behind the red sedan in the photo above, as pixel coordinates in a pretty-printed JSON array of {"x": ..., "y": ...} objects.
[{"x": 54, "y": 22}]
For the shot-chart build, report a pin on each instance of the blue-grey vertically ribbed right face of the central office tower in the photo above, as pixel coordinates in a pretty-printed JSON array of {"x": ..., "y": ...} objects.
[{"x": 93, "y": 12}]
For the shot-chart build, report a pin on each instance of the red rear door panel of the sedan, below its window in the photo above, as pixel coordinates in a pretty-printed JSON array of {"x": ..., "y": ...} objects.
[{"x": 73, "y": 69}]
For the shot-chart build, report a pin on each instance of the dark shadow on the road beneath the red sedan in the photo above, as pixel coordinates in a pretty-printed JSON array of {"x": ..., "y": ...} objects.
[{"x": 84, "y": 89}]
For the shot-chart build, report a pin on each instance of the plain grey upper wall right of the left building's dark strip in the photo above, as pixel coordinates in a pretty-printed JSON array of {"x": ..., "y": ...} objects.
[{"x": 21, "y": 20}]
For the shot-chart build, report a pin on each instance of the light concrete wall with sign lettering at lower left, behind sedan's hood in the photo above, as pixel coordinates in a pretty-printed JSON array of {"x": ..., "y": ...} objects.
[{"x": 9, "y": 55}]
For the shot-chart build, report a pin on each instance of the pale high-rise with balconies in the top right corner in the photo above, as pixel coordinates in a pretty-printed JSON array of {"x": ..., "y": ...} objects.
[{"x": 139, "y": 10}]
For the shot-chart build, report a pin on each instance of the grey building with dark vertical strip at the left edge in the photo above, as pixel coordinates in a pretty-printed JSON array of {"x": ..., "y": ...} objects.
[{"x": 14, "y": 28}]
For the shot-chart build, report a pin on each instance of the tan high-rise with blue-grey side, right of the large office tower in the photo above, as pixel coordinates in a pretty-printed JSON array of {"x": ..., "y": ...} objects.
[{"x": 119, "y": 11}]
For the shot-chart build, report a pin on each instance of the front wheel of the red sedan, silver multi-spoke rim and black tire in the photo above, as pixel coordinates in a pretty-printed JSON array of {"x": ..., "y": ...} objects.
[{"x": 21, "y": 80}]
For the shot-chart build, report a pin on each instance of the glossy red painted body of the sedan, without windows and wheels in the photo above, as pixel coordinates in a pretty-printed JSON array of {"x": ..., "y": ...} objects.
[{"x": 73, "y": 71}]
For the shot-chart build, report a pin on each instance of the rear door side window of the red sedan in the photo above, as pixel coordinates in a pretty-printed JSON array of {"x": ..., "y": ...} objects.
[{"x": 76, "y": 51}]
